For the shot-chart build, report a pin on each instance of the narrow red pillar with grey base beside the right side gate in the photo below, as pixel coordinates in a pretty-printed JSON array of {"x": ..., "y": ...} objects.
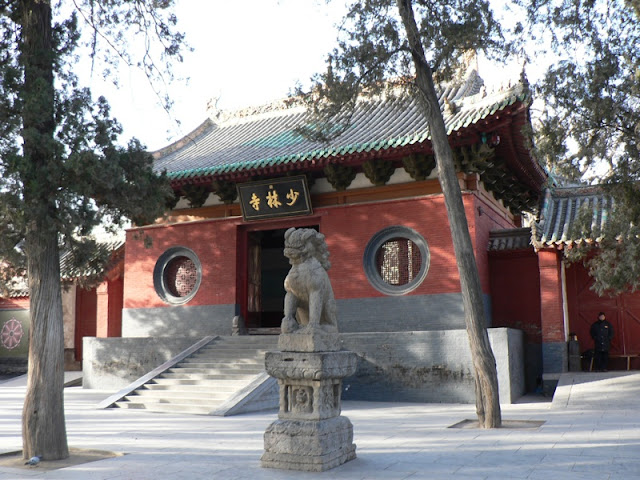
[{"x": 554, "y": 346}]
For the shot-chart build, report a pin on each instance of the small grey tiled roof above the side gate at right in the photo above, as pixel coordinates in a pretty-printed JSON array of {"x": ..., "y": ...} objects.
[{"x": 560, "y": 210}]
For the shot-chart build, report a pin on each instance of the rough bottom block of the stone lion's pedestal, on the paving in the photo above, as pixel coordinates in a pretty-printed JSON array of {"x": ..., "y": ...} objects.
[{"x": 306, "y": 445}]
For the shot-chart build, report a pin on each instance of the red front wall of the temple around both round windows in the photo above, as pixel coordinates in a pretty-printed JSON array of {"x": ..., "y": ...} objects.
[{"x": 347, "y": 228}]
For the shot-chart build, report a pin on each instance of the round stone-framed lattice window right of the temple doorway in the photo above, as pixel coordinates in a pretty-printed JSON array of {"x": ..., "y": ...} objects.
[{"x": 396, "y": 260}]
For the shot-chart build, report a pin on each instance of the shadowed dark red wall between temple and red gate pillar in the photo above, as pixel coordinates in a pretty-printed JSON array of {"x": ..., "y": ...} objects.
[{"x": 515, "y": 293}]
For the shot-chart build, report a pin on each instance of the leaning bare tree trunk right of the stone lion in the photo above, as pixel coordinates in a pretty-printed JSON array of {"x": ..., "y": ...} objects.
[{"x": 486, "y": 377}]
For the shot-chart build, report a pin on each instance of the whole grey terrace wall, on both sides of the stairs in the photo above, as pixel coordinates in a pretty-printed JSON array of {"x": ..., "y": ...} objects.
[{"x": 429, "y": 366}]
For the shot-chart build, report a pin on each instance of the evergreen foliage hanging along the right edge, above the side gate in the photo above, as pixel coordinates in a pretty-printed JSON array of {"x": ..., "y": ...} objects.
[{"x": 590, "y": 120}]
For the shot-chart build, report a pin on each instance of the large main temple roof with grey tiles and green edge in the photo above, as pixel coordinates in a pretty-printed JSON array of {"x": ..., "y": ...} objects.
[{"x": 266, "y": 137}]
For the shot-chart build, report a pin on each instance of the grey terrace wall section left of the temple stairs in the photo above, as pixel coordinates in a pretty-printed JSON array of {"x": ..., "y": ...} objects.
[{"x": 113, "y": 363}]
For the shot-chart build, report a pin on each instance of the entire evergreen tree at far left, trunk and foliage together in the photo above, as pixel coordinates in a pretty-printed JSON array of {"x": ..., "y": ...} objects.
[{"x": 62, "y": 169}]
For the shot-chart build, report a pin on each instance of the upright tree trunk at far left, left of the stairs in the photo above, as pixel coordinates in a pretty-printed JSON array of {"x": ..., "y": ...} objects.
[{"x": 43, "y": 425}]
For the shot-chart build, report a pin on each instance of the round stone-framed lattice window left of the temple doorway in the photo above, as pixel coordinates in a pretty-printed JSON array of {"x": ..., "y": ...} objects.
[{"x": 177, "y": 275}]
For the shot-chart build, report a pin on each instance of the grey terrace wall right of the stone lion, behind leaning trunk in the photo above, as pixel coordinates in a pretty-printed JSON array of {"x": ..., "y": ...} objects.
[{"x": 430, "y": 367}]
